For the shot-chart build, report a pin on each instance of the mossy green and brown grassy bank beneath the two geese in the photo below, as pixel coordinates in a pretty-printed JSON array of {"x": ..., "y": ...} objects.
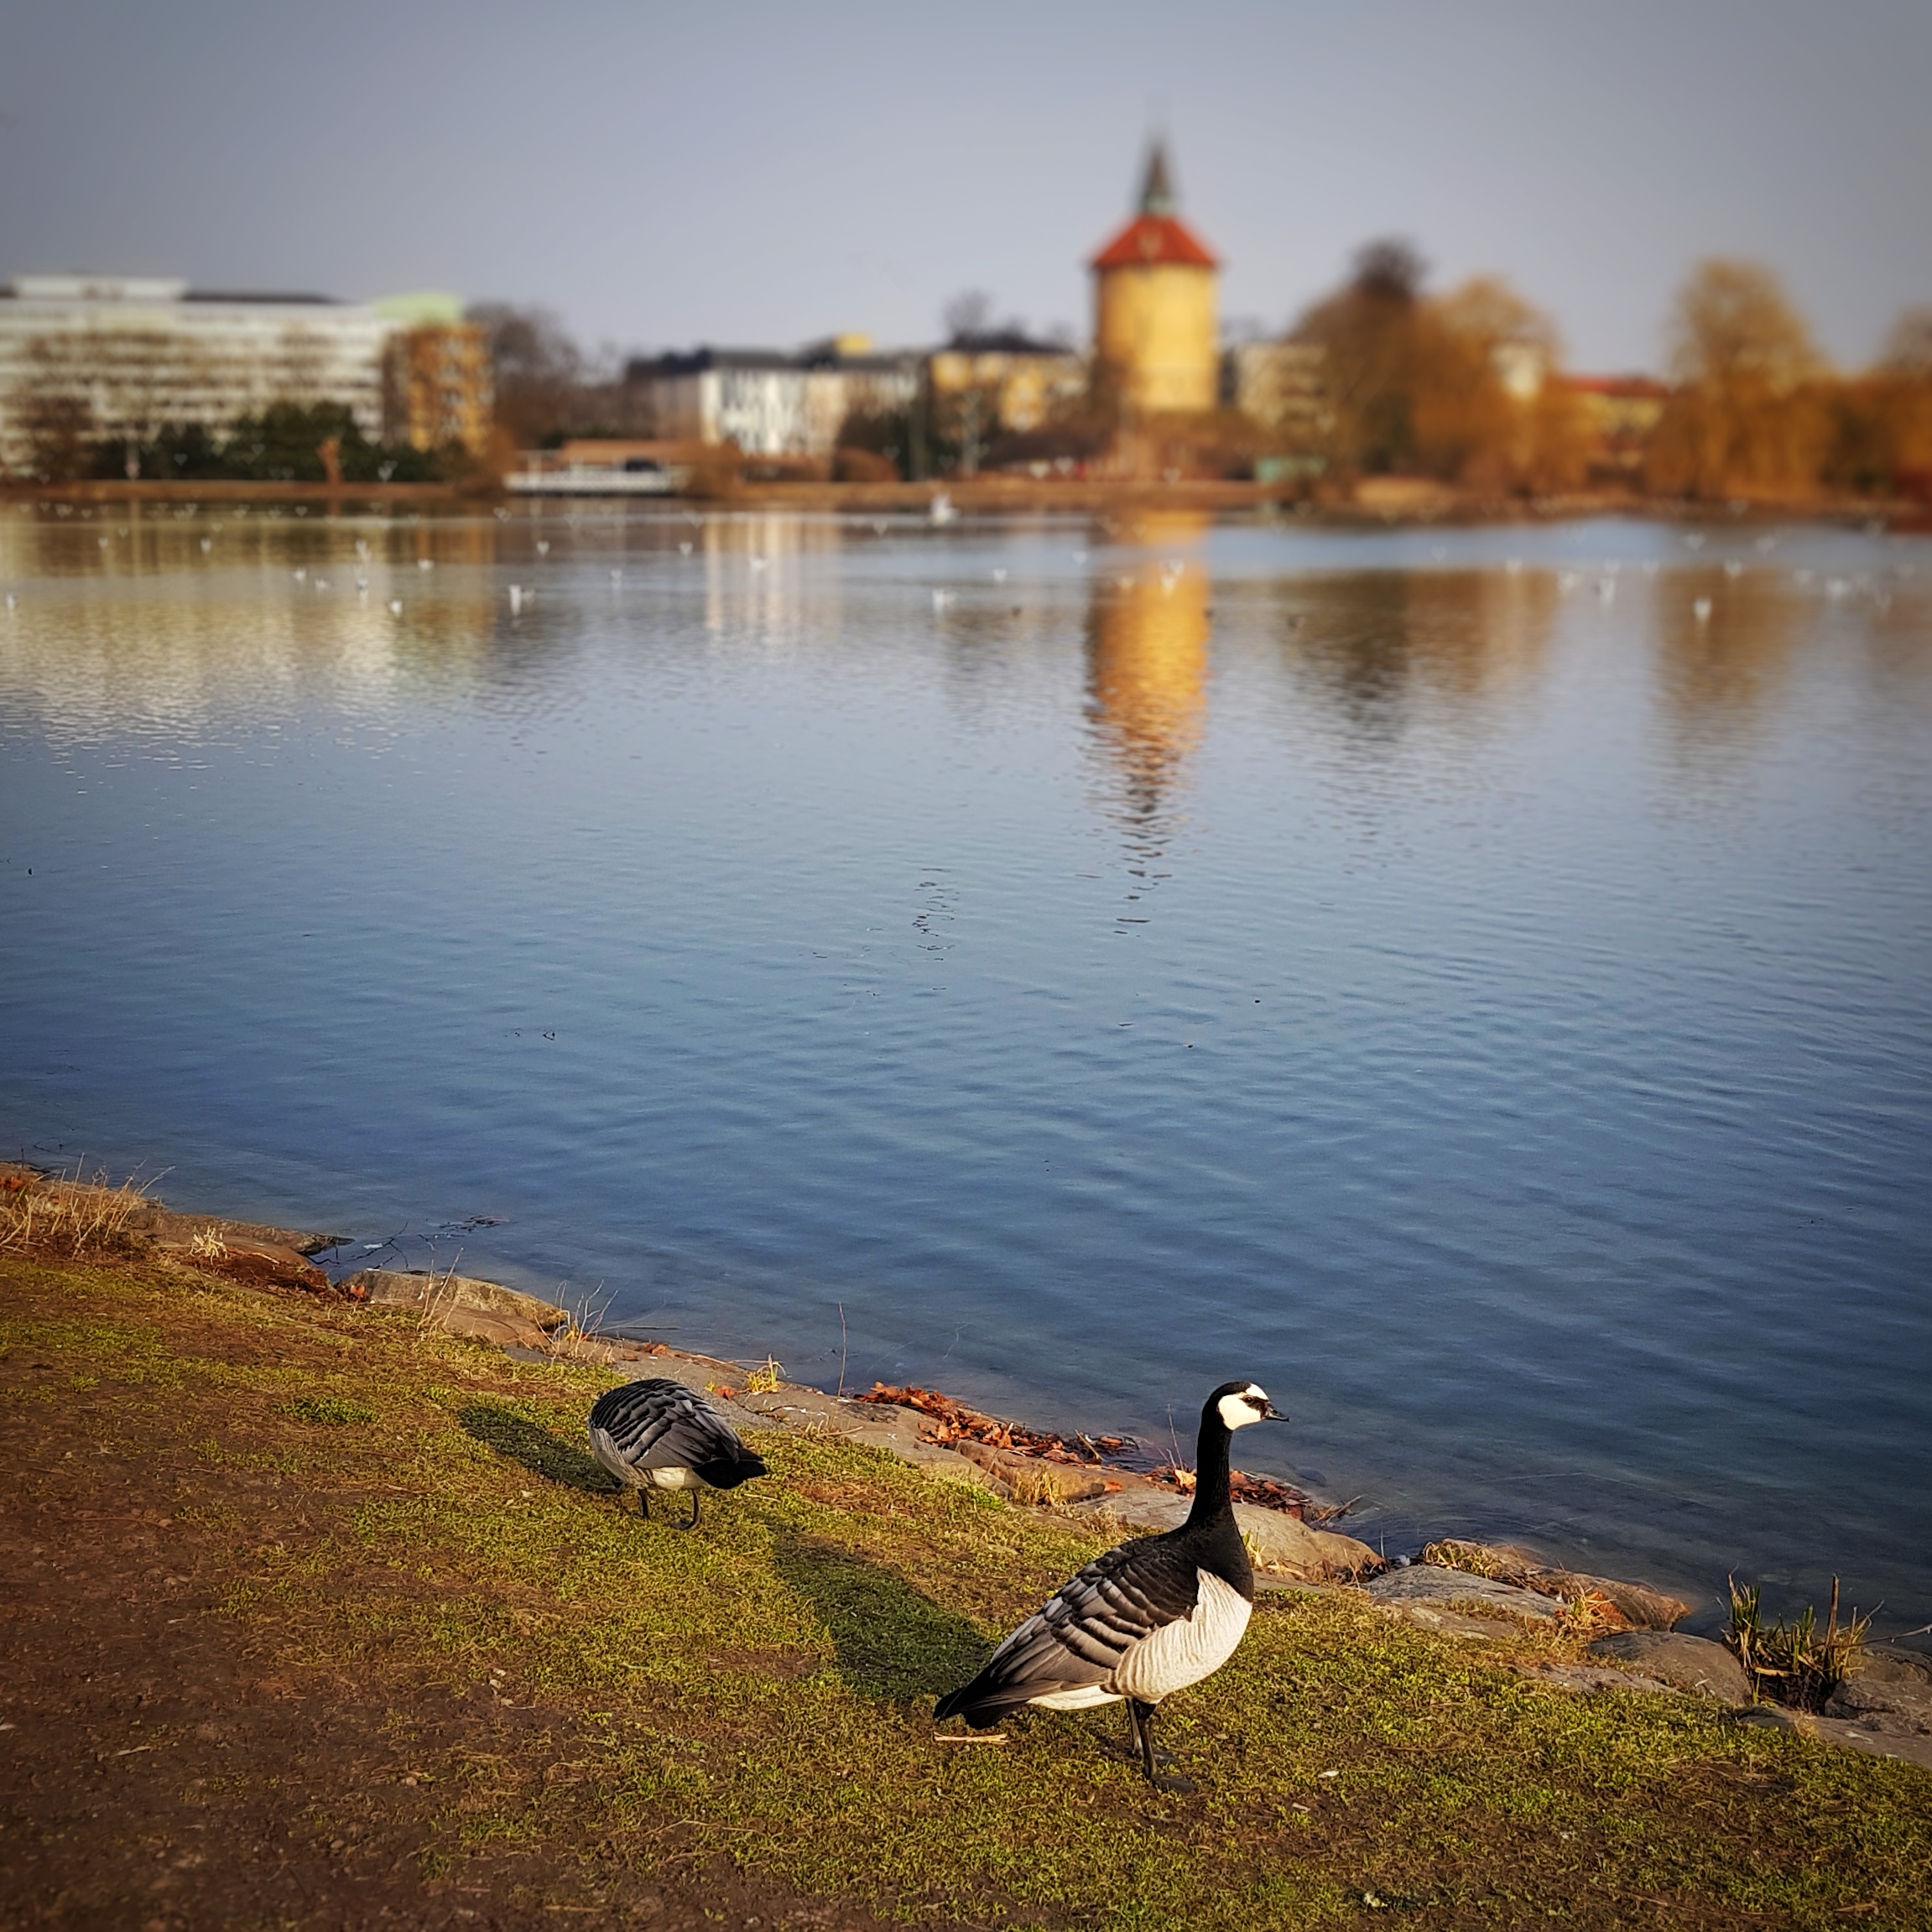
[{"x": 546, "y": 1705}]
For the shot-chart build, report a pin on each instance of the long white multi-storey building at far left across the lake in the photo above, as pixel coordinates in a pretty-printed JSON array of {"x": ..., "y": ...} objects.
[{"x": 123, "y": 356}]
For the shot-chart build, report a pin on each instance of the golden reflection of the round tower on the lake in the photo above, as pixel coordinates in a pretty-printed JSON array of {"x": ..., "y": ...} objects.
[{"x": 1149, "y": 660}]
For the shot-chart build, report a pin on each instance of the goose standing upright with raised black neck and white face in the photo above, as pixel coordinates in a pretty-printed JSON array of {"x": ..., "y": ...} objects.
[{"x": 1149, "y": 1618}]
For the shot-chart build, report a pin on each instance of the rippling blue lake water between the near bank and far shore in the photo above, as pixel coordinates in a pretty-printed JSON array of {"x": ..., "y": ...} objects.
[{"x": 1440, "y": 977}]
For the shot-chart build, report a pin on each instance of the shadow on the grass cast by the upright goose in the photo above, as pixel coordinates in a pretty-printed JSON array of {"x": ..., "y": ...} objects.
[{"x": 894, "y": 1643}]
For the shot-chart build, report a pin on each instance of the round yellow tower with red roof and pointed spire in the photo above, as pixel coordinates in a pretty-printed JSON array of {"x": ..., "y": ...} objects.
[{"x": 1156, "y": 308}]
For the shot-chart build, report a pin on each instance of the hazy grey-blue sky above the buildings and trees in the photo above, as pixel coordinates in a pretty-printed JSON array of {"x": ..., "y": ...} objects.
[{"x": 760, "y": 175}]
